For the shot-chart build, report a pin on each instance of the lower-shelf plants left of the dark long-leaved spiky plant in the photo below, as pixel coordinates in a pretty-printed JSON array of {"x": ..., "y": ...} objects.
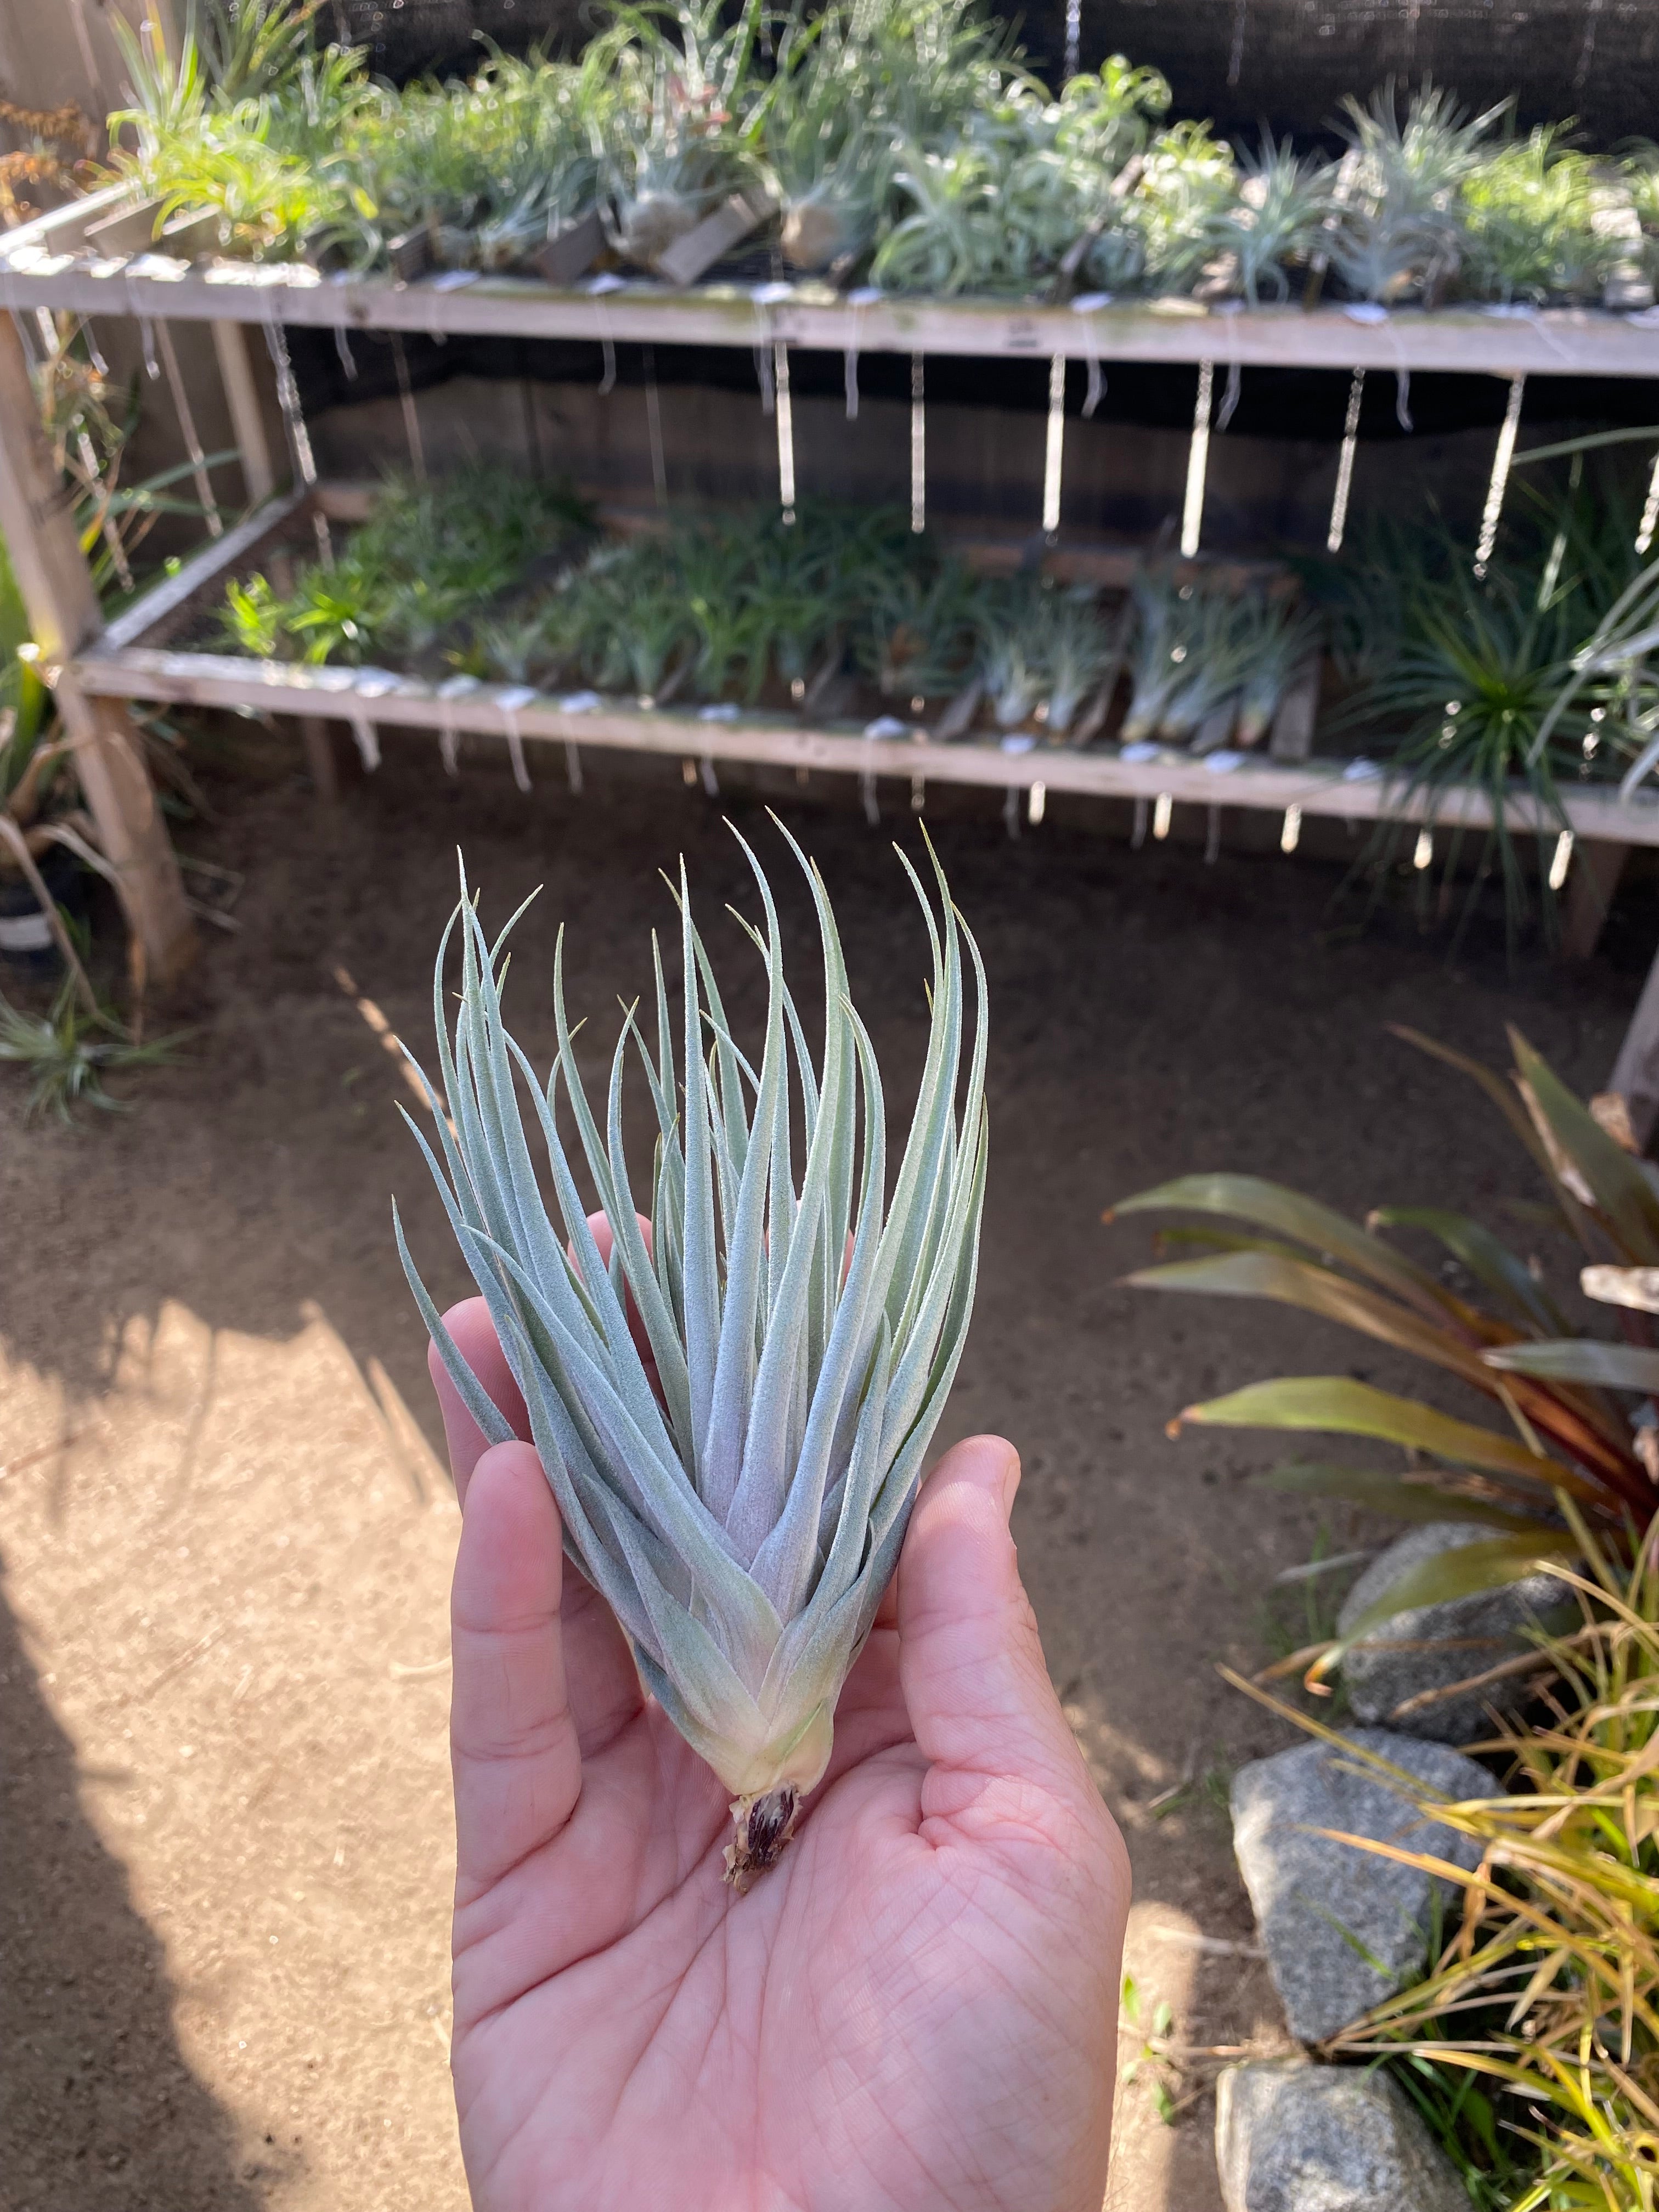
[{"x": 842, "y": 616}]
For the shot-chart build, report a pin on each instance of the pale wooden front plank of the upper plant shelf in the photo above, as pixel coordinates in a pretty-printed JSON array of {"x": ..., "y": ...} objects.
[{"x": 1556, "y": 342}]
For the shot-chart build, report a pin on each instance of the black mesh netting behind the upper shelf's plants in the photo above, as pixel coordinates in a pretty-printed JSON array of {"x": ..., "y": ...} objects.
[{"x": 1238, "y": 61}]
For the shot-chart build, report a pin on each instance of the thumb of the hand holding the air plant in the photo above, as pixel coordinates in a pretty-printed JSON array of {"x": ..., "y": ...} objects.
[{"x": 970, "y": 1656}]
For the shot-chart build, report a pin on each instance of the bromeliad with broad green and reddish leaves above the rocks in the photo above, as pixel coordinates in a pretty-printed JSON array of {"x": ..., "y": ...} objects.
[{"x": 1574, "y": 1412}]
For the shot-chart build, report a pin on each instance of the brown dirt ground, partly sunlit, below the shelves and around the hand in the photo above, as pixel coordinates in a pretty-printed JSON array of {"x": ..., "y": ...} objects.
[{"x": 227, "y": 1536}]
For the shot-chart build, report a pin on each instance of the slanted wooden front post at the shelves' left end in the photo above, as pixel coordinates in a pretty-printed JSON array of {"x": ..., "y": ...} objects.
[{"x": 59, "y": 594}]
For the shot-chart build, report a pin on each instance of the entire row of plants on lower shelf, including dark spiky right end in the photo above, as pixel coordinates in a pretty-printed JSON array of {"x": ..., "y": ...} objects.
[{"x": 1532, "y": 678}]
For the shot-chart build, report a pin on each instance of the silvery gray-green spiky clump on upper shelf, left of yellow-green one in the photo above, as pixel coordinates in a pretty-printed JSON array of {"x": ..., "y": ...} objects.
[{"x": 1399, "y": 229}]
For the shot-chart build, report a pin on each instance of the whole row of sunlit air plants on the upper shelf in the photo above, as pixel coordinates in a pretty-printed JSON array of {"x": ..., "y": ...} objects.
[{"x": 895, "y": 145}]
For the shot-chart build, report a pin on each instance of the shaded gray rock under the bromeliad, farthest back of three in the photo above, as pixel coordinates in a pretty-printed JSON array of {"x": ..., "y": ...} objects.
[{"x": 1439, "y": 1645}]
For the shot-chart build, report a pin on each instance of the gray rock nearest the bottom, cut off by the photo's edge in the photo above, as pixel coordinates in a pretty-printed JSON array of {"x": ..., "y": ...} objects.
[{"x": 1295, "y": 2138}]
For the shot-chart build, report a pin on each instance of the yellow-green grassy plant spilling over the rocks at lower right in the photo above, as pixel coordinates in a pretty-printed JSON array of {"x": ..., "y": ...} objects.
[{"x": 1534, "y": 2041}]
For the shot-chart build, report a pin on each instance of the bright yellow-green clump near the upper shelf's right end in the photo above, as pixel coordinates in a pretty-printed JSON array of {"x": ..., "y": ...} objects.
[{"x": 1534, "y": 222}]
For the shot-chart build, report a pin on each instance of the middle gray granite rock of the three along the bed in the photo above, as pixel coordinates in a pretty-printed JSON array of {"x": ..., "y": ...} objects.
[{"x": 1342, "y": 1928}]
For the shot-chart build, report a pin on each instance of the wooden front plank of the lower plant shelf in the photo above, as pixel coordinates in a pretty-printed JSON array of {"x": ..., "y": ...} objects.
[{"x": 1319, "y": 789}]
